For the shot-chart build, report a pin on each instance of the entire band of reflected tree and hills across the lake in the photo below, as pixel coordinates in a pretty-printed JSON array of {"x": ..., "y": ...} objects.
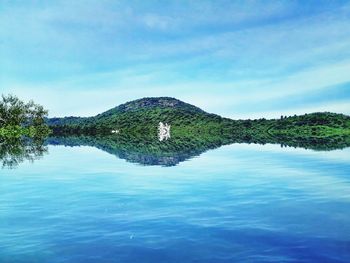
[{"x": 152, "y": 151}]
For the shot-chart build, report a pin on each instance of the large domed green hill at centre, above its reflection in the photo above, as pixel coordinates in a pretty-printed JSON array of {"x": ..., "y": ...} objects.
[{"x": 135, "y": 116}]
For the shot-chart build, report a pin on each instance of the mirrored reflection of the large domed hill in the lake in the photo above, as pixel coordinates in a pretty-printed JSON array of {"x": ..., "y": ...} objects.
[{"x": 139, "y": 150}]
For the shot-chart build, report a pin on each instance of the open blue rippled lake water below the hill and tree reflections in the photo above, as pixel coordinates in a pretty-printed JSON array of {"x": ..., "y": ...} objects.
[{"x": 239, "y": 203}]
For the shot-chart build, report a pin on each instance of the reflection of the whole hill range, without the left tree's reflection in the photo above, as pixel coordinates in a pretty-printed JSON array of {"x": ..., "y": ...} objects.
[{"x": 149, "y": 151}]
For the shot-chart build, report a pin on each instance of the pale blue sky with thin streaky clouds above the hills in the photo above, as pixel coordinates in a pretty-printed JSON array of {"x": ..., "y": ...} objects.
[{"x": 239, "y": 59}]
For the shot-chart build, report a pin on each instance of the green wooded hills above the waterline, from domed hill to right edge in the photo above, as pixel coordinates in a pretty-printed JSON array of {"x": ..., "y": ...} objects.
[{"x": 142, "y": 117}]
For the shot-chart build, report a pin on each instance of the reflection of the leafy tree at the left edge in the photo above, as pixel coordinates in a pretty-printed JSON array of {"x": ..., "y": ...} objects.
[{"x": 14, "y": 151}]
